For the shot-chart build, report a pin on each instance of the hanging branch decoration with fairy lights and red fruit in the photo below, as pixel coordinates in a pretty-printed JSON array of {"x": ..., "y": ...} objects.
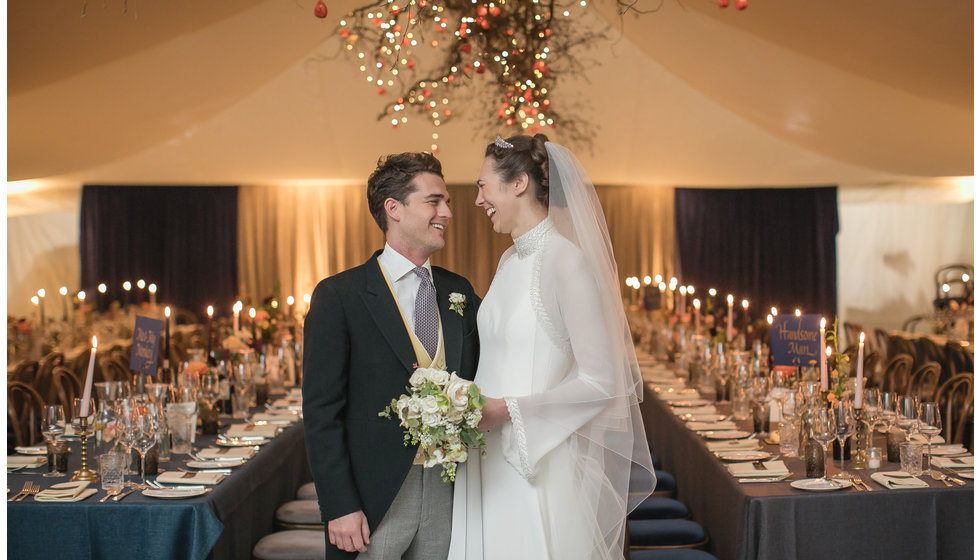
[{"x": 420, "y": 53}]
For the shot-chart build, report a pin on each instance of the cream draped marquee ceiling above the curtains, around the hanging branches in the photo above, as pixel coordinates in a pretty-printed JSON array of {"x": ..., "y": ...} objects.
[{"x": 255, "y": 91}]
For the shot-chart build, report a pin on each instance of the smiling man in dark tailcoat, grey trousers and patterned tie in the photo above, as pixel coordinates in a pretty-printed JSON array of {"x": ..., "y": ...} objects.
[{"x": 366, "y": 331}]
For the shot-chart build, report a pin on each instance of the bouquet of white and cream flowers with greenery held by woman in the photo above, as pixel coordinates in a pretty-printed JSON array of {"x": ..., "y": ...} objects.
[{"x": 440, "y": 413}]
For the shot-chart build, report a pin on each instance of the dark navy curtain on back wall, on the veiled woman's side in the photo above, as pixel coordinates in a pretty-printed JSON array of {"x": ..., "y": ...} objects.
[{"x": 772, "y": 246}]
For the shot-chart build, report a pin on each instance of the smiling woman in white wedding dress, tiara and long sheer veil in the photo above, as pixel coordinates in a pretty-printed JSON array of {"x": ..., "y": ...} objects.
[{"x": 566, "y": 455}]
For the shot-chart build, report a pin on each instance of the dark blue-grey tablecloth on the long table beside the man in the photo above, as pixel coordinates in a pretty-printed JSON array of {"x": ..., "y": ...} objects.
[{"x": 225, "y": 523}]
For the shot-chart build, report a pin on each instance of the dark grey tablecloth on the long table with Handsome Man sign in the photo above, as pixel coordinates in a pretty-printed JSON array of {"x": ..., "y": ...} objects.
[{"x": 774, "y": 521}]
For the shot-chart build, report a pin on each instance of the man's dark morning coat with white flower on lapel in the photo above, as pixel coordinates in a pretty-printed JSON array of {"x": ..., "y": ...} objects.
[{"x": 357, "y": 357}]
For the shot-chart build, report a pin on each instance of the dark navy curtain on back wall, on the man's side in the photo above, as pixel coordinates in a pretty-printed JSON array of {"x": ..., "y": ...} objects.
[{"x": 183, "y": 239}]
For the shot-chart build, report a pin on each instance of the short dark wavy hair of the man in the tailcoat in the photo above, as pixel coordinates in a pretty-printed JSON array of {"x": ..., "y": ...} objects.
[{"x": 393, "y": 179}]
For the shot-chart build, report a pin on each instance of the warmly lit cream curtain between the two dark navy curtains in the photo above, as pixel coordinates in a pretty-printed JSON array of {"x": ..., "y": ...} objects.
[{"x": 294, "y": 236}]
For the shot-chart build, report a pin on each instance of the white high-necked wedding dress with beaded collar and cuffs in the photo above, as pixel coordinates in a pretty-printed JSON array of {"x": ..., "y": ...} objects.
[{"x": 526, "y": 500}]
